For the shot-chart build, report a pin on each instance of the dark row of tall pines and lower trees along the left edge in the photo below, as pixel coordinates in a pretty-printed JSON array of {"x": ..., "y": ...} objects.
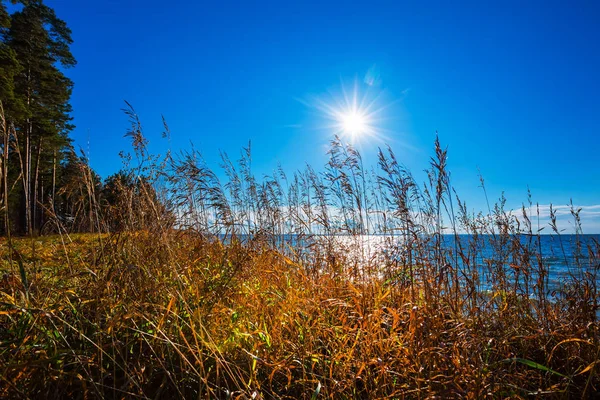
[{"x": 43, "y": 178}]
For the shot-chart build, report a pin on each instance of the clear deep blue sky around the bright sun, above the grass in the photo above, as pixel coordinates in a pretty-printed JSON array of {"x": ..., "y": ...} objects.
[{"x": 512, "y": 88}]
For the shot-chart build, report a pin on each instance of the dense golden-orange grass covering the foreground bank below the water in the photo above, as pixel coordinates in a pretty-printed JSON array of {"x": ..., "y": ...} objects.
[{"x": 173, "y": 314}]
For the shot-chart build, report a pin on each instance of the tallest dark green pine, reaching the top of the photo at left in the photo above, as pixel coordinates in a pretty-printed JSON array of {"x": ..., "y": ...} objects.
[{"x": 40, "y": 42}]
